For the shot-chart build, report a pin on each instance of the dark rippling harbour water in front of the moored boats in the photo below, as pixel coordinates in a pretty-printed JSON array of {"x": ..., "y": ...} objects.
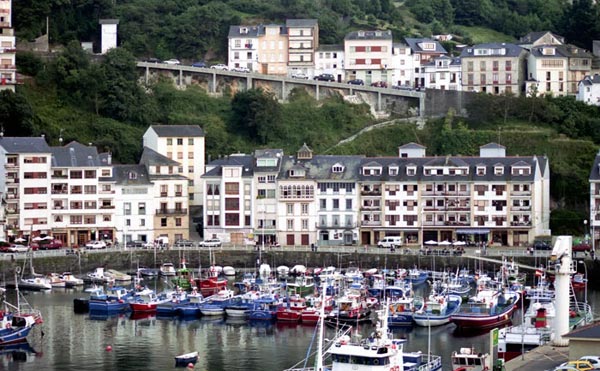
[{"x": 69, "y": 341}]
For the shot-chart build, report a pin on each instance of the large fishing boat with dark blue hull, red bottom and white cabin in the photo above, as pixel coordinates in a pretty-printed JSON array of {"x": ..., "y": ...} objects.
[{"x": 487, "y": 309}]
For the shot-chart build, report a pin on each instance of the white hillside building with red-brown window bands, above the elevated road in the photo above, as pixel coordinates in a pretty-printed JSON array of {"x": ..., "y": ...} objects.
[{"x": 368, "y": 56}]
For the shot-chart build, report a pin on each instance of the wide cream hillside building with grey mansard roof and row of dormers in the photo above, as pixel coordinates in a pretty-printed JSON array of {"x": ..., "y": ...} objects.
[{"x": 494, "y": 68}]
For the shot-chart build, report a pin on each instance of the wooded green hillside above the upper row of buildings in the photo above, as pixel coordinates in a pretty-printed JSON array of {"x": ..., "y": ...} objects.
[{"x": 197, "y": 29}]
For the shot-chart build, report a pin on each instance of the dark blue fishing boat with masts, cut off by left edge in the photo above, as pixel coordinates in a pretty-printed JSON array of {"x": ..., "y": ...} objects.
[{"x": 16, "y": 320}]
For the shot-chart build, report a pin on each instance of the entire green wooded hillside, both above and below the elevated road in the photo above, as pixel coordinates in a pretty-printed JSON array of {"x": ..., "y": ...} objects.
[{"x": 104, "y": 104}]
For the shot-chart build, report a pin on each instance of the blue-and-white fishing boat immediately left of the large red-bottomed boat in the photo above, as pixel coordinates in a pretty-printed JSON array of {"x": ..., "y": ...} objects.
[{"x": 437, "y": 309}]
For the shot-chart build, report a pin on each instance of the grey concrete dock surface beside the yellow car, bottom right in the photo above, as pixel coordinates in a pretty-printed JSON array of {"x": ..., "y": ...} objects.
[{"x": 544, "y": 357}]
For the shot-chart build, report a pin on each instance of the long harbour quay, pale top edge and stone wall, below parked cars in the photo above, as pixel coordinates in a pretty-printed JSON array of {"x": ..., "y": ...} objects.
[{"x": 248, "y": 258}]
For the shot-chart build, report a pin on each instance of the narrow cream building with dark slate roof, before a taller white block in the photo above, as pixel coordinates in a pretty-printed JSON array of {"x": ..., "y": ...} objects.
[{"x": 169, "y": 196}]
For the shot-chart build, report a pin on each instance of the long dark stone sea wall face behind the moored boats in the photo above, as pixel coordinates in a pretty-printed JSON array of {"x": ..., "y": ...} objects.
[{"x": 130, "y": 260}]
